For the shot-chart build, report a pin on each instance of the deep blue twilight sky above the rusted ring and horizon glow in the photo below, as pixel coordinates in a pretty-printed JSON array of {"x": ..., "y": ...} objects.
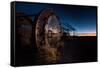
[{"x": 83, "y": 18}]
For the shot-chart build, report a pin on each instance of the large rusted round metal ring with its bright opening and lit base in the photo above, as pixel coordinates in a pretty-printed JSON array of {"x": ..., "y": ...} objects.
[{"x": 47, "y": 30}]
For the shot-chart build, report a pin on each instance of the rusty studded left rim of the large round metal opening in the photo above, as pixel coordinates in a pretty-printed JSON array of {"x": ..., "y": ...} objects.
[{"x": 40, "y": 27}]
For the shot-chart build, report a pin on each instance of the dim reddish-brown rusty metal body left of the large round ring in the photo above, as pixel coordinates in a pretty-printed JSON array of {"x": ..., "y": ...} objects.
[{"x": 24, "y": 30}]
